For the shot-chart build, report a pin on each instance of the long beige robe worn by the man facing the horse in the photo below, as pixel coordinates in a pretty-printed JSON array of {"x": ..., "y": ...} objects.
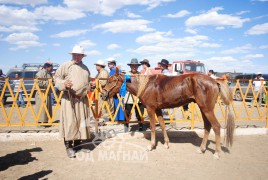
[{"x": 74, "y": 114}]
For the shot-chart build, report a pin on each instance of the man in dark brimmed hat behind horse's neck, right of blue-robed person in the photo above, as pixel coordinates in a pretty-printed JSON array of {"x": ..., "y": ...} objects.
[{"x": 134, "y": 65}]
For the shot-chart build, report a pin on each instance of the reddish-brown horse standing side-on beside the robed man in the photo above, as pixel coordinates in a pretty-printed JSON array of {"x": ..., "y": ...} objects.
[{"x": 161, "y": 92}]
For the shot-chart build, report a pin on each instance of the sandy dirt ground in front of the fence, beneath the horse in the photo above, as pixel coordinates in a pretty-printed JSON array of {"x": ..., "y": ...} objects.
[{"x": 120, "y": 158}]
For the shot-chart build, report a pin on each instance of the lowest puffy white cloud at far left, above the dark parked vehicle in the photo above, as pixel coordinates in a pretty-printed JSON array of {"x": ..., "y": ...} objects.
[{"x": 23, "y": 40}]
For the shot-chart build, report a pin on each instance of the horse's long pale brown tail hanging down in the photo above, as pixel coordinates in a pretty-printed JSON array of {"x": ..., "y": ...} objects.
[{"x": 227, "y": 98}]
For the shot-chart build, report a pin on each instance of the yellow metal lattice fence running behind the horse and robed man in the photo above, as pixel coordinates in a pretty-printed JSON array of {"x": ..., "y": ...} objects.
[{"x": 13, "y": 115}]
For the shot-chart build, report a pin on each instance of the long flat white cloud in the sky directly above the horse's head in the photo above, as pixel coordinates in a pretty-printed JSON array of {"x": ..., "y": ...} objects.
[{"x": 125, "y": 26}]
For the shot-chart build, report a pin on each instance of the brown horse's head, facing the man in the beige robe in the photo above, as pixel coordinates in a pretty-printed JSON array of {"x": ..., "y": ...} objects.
[{"x": 113, "y": 85}]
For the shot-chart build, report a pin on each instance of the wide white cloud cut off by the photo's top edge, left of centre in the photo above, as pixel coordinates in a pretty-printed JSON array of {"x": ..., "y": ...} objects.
[{"x": 108, "y": 7}]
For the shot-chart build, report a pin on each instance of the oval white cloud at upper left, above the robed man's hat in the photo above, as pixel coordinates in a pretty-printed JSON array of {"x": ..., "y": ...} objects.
[{"x": 58, "y": 13}]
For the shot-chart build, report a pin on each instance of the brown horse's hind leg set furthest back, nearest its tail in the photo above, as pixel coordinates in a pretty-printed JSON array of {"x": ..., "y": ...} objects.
[{"x": 217, "y": 129}]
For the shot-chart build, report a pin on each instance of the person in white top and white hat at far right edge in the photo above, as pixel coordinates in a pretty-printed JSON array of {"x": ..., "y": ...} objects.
[{"x": 258, "y": 83}]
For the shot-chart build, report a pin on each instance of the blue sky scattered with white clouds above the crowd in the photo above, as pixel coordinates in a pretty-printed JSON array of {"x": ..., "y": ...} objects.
[{"x": 227, "y": 35}]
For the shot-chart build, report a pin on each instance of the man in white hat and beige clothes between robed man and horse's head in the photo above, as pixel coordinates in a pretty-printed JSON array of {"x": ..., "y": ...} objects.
[{"x": 102, "y": 73}]
